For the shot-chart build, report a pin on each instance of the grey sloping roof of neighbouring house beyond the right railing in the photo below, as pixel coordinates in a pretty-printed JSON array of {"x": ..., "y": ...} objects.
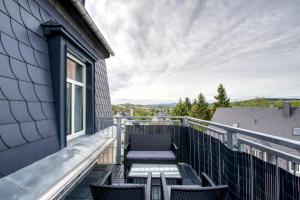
[{"x": 266, "y": 120}]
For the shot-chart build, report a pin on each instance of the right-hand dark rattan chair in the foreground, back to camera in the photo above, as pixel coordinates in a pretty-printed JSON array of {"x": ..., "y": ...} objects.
[{"x": 208, "y": 191}]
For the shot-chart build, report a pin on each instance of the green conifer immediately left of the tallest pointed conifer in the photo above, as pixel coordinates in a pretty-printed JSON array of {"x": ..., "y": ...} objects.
[{"x": 200, "y": 108}]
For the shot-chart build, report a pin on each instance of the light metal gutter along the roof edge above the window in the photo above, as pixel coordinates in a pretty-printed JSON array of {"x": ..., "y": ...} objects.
[{"x": 87, "y": 18}]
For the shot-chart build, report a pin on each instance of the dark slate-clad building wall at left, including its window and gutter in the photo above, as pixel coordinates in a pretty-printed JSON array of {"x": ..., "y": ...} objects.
[{"x": 53, "y": 79}]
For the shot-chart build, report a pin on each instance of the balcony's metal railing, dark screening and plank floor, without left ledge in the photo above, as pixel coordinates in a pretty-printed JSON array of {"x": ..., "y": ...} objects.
[{"x": 228, "y": 155}]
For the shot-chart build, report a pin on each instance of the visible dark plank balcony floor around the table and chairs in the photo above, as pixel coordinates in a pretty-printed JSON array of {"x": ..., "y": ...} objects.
[{"x": 82, "y": 191}]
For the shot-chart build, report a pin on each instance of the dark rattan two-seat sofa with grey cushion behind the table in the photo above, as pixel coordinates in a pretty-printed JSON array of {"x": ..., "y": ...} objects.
[{"x": 150, "y": 148}]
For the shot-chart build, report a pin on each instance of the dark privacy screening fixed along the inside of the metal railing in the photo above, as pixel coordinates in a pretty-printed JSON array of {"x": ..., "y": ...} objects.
[{"x": 229, "y": 167}]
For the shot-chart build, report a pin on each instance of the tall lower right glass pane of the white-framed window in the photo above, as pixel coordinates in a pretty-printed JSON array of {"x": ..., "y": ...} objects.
[{"x": 78, "y": 110}]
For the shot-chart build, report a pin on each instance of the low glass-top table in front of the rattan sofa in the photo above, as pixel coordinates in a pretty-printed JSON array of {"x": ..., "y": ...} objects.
[{"x": 171, "y": 171}]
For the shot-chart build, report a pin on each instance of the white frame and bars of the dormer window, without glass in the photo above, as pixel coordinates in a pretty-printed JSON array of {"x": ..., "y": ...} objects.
[{"x": 83, "y": 85}]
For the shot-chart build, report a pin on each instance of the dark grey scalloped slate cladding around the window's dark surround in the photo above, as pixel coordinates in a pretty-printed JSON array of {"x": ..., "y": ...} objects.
[{"x": 28, "y": 128}]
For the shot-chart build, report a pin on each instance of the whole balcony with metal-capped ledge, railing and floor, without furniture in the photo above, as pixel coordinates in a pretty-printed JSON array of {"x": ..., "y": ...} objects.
[{"x": 238, "y": 158}]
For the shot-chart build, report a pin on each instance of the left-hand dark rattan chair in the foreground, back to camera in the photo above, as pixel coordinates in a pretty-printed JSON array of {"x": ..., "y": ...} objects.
[{"x": 108, "y": 191}]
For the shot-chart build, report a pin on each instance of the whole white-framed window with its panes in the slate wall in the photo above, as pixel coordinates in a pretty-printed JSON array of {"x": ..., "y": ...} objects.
[{"x": 75, "y": 97}]
